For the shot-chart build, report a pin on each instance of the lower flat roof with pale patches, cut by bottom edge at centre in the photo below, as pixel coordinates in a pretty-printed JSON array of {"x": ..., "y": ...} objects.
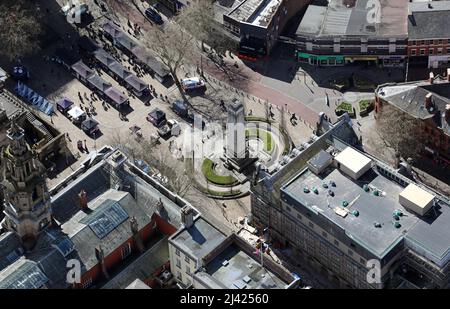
[{"x": 242, "y": 271}]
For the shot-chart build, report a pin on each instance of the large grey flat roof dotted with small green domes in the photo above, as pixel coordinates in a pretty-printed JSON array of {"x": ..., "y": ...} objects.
[{"x": 372, "y": 209}]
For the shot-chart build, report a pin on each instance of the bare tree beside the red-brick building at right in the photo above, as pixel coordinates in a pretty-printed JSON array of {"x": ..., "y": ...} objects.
[{"x": 400, "y": 131}]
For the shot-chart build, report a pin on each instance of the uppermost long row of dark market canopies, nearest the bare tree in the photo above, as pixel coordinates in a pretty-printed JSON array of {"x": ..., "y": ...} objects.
[{"x": 139, "y": 53}]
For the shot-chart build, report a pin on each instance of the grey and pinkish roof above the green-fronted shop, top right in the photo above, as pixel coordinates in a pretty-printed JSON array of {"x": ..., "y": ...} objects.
[{"x": 337, "y": 19}]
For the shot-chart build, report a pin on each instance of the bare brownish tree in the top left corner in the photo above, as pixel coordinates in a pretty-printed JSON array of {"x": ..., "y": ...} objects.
[{"x": 20, "y": 29}]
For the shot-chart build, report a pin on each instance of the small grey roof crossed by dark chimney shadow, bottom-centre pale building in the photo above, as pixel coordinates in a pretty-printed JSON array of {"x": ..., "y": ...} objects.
[{"x": 199, "y": 239}]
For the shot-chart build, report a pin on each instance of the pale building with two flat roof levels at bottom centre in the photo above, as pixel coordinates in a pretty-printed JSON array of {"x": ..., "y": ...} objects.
[{"x": 202, "y": 257}]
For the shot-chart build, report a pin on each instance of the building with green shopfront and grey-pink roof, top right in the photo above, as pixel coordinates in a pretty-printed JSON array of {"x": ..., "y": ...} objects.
[{"x": 341, "y": 33}]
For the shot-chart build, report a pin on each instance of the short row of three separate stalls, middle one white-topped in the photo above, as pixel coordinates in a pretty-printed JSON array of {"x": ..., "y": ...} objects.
[{"x": 78, "y": 116}]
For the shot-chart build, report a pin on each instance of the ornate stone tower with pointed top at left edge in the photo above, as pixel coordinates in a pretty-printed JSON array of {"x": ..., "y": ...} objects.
[{"x": 27, "y": 201}]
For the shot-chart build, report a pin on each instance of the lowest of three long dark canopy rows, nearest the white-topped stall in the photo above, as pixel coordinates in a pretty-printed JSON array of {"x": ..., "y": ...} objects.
[{"x": 98, "y": 84}]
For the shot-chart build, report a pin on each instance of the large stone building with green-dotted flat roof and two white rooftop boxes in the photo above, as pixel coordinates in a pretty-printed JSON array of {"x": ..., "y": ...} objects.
[{"x": 336, "y": 222}]
